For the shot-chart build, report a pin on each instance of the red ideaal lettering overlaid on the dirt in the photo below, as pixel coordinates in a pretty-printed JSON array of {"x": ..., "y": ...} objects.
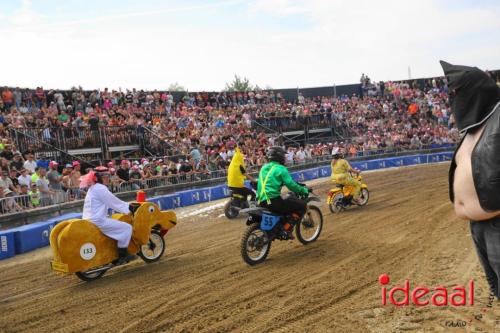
[{"x": 422, "y": 296}]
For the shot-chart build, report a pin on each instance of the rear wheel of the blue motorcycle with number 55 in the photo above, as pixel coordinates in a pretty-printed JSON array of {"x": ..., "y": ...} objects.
[{"x": 255, "y": 245}]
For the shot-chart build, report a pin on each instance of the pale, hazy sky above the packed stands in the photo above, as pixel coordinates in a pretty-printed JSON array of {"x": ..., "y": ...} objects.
[{"x": 278, "y": 43}]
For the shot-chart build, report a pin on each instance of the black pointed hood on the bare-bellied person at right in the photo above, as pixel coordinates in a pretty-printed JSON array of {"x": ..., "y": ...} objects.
[{"x": 473, "y": 95}]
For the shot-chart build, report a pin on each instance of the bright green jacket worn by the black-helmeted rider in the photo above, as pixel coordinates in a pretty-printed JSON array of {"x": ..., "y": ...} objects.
[{"x": 272, "y": 177}]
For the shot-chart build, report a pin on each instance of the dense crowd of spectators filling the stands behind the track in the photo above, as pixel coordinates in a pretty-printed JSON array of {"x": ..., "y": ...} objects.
[{"x": 201, "y": 131}]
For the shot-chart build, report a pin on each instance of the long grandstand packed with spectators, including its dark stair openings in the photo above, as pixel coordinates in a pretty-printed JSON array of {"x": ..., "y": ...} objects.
[{"x": 171, "y": 139}]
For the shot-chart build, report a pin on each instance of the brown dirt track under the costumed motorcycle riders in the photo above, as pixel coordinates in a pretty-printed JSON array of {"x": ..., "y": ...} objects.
[{"x": 408, "y": 230}]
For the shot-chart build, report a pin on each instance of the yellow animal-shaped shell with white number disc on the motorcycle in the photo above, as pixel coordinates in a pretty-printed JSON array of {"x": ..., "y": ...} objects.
[{"x": 78, "y": 245}]
